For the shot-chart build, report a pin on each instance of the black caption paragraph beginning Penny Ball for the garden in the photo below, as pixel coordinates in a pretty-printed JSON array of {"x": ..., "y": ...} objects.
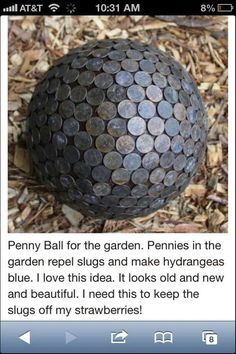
[{"x": 68, "y": 279}]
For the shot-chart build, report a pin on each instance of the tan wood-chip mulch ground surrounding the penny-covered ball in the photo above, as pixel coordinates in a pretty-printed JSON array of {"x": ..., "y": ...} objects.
[{"x": 199, "y": 43}]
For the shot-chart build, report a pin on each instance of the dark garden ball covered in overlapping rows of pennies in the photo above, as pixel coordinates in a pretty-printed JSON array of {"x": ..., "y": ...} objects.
[{"x": 116, "y": 129}]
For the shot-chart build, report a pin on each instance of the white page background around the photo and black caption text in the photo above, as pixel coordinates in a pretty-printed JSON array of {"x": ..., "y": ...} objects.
[{"x": 216, "y": 302}]
